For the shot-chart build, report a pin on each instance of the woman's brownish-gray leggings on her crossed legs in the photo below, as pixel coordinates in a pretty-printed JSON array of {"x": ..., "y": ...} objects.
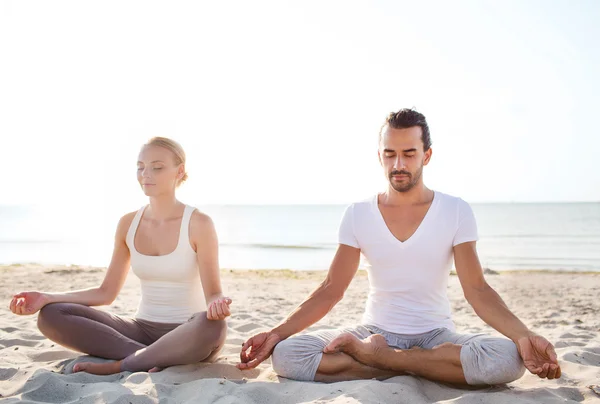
[{"x": 142, "y": 344}]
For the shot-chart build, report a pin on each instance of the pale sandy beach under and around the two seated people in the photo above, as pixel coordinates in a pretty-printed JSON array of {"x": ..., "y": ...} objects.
[{"x": 561, "y": 306}]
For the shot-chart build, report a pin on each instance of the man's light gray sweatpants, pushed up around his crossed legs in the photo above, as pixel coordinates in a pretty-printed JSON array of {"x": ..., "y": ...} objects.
[{"x": 484, "y": 359}]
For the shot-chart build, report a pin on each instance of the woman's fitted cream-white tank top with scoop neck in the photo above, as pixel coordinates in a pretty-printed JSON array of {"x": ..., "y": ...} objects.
[{"x": 171, "y": 286}]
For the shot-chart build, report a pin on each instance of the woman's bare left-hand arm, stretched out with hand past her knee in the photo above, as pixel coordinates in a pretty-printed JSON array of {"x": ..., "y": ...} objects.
[{"x": 31, "y": 302}]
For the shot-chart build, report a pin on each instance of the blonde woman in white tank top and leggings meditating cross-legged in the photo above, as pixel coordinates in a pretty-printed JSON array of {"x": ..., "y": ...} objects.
[{"x": 173, "y": 249}]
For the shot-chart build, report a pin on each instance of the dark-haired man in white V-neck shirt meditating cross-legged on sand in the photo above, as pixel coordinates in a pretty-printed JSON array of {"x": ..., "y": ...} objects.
[{"x": 409, "y": 235}]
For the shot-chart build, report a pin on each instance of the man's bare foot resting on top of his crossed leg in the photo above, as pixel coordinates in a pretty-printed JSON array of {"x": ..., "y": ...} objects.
[{"x": 367, "y": 351}]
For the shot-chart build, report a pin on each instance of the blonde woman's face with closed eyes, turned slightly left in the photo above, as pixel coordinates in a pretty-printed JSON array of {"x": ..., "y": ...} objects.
[{"x": 157, "y": 172}]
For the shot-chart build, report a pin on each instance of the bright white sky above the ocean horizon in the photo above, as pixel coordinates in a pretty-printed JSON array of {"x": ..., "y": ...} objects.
[{"x": 280, "y": 102}]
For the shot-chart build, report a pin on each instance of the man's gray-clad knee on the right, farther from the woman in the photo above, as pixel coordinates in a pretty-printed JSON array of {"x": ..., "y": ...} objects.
[{"x": 492, "y": 361}]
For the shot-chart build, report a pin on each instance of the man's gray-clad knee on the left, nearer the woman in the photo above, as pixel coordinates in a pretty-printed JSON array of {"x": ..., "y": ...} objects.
[{"x": 290, "y": 359}]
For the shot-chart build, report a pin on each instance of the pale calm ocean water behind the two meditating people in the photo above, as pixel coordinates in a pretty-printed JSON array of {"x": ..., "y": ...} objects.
[{"x": 513, "y": 236}]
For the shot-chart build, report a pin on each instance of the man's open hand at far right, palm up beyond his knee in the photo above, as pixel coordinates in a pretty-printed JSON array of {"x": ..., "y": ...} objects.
[{"x": 539, "y": 356}]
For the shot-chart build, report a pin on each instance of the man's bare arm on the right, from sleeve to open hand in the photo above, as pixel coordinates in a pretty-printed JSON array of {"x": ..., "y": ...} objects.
[{"x": 537, "y": 352}]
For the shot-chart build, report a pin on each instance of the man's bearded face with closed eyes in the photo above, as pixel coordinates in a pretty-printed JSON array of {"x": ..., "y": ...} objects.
[{"x": 401, "y": 155}]
